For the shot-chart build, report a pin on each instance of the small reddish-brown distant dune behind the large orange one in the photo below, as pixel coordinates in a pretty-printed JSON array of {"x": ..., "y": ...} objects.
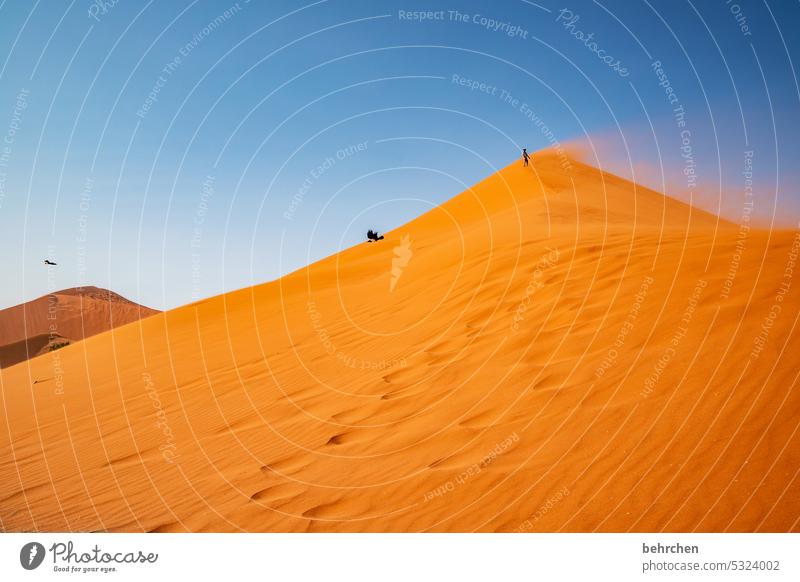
[{"x": 60, "y": 318}]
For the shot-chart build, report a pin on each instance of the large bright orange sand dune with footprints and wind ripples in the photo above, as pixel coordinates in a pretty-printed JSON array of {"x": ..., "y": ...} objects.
[{"x": 552, "y": 350}]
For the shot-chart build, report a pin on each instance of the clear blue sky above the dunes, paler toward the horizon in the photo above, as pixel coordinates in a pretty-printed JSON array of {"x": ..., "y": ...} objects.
[{"x": 172, "y": 151}]
